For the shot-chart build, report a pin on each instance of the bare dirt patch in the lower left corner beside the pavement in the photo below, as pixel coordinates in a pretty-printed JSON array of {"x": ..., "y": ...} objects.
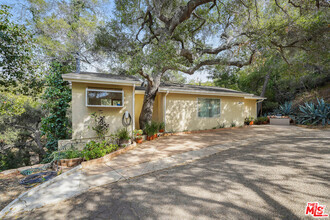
[{"x": 10, "y": 188}]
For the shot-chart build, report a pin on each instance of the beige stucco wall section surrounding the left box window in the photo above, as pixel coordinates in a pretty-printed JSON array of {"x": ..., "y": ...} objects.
[{"x": 81, "y": 114}]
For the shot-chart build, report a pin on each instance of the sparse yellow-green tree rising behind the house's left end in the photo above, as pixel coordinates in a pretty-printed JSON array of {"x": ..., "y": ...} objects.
[{"x": 65, "y": 29}]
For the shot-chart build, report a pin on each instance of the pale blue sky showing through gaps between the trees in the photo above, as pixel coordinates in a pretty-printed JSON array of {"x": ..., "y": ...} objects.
[{"x": 20, "y": 15}]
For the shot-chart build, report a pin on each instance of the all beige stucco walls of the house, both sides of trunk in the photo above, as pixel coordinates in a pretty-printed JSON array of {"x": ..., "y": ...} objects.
[{"x": 181, "y": 111}]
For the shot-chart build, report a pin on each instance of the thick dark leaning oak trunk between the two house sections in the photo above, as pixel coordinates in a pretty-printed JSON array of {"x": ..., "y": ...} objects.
[{"x": 148, "y": 102}]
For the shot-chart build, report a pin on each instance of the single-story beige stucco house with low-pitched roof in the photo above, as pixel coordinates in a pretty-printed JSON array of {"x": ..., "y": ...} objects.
[{"x": 180, "y": 107}]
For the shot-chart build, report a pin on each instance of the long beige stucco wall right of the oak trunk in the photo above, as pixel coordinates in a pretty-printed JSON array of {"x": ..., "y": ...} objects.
[{"x": 181, "y": 112}]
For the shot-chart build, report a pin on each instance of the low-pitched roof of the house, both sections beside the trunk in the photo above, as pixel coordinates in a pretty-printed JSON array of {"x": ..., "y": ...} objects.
[{"x": 164, "y": 87}]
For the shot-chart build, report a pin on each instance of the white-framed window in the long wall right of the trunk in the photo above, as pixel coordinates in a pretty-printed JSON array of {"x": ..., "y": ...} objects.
[{"x": 208, "y": 108}]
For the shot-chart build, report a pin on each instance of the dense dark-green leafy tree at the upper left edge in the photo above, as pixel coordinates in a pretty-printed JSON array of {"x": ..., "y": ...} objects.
[{"x": 16, "y": 52}]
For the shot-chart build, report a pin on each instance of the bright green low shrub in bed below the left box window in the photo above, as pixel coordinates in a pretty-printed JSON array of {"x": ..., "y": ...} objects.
[{"x": 95, "y": 150}]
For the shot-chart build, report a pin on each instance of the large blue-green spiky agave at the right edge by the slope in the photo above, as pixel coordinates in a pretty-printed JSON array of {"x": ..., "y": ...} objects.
[{"x": 315, "y": 114}]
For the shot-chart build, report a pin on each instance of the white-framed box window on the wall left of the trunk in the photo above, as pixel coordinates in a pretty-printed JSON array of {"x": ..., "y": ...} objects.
[{"x": 104, "y": 98}]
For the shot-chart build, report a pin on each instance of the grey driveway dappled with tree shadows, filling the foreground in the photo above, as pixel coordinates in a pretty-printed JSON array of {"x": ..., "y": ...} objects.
[{"x": 273, "y": 178}]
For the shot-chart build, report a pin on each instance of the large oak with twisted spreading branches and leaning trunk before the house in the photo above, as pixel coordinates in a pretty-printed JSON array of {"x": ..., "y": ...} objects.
[{"x": 154, "y": 37}]
